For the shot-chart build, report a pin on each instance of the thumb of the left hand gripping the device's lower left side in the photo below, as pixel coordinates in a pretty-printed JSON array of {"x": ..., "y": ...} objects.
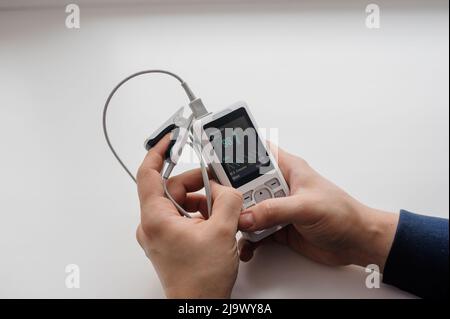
[{"x": 227, "y": 206}]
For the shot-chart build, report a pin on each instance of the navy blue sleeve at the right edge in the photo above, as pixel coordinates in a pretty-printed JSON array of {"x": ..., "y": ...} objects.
[{"x": 418, "y": 259}]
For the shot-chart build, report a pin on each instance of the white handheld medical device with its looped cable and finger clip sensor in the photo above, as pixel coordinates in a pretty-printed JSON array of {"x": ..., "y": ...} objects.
[{"x": 227, "y": 142}]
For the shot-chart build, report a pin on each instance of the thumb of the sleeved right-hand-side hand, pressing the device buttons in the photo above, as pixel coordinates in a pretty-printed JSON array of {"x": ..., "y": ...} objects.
[{"x": 272, "y": 212}]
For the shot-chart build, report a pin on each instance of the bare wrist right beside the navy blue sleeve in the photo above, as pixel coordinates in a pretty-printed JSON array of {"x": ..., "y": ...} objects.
[{"x": 376, "y": 232}]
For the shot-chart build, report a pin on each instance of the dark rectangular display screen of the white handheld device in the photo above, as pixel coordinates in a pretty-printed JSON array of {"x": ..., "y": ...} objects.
[{"x": 238, "y": 147}]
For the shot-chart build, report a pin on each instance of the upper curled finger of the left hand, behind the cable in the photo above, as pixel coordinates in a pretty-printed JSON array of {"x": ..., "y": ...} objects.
[{"x": 187, "y": 182}]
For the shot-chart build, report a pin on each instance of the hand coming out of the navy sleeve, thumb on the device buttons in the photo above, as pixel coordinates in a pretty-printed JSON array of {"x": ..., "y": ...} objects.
[{"x": 326, "y": 224}]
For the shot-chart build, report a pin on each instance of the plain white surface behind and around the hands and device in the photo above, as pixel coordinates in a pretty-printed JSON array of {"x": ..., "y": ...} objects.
[{"x": 367, "y": 108}]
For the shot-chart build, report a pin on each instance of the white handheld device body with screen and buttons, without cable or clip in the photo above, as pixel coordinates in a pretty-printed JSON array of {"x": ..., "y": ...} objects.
[{"x": 238, "y": 157}]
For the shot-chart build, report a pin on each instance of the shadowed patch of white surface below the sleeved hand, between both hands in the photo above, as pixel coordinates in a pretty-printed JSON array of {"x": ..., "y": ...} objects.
[{"x": 277, "y": 272}]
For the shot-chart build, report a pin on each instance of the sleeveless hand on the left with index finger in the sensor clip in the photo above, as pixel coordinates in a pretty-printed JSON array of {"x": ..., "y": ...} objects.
[{"x": 194, "y": 257}]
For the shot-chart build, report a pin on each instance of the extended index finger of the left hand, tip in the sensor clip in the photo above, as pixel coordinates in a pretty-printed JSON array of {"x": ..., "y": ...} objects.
[{"x": 148, "y": 177}]
